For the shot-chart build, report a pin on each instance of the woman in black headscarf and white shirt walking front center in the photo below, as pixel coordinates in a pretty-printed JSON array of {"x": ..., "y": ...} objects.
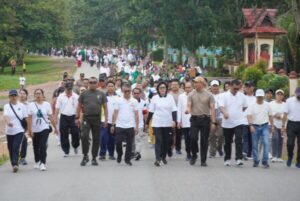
[{"x": 163, "y": 110}]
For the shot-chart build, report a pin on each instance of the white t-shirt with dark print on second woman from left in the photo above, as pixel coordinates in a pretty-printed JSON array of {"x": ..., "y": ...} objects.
[{"x": 38, "y": 123}]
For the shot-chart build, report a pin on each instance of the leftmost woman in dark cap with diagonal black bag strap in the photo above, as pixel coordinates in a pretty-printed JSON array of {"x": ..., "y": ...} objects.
[{"x": 14, "y": 114}]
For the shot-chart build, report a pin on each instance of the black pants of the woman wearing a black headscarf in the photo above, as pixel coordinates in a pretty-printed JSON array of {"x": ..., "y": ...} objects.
[{"x": 162, "y": 135}]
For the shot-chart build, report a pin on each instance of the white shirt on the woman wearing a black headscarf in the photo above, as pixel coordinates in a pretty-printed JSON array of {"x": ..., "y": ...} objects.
[{"x": 162, "y": 108}]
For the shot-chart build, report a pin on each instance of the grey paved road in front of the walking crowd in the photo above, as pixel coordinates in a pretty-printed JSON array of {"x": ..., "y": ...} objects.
[{"x": 66, "y": 180}]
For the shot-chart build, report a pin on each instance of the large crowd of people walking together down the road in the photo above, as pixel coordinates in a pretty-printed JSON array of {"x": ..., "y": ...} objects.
[{"x": 132, "y": 100}]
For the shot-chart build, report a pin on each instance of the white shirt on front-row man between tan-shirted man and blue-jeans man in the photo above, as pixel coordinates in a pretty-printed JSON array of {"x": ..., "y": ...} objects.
[{"x": 233, "y": 105}]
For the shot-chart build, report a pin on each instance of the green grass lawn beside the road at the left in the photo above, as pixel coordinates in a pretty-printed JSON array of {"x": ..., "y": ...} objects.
[{"x": 40, "y": 69}]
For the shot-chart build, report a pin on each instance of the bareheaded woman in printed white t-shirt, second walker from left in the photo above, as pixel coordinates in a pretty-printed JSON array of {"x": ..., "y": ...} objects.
[{"x": 39, "y": 127}]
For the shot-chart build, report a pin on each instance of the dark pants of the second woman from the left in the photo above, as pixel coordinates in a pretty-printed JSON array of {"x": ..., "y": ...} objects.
[{"x": 39, "y": 142}]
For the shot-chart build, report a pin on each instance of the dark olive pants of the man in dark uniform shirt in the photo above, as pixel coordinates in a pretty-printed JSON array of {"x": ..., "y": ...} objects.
[{"x": 91, "y": 123}]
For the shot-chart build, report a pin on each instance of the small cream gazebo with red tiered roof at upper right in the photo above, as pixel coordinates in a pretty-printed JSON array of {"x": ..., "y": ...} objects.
[{"x": 259, "y": 33}]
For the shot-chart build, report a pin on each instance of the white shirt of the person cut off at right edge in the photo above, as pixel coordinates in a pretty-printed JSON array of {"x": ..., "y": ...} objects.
[{"x": 292, "y": 109}]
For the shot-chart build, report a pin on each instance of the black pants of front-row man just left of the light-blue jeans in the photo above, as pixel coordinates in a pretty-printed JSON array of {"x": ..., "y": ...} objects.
[{"x": 228, "y": 135}]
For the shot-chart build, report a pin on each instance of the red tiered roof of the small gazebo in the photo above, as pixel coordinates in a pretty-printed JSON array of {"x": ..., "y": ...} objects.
[{"x": 254, "y": 21}]
